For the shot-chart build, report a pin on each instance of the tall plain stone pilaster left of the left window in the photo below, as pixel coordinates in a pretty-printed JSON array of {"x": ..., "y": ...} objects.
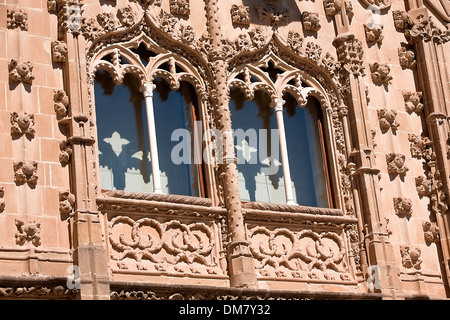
[{"x": 89, "y": 253}]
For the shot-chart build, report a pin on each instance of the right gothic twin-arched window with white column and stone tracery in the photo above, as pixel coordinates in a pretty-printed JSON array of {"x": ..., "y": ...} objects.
[{"x": 279, "y": 138}]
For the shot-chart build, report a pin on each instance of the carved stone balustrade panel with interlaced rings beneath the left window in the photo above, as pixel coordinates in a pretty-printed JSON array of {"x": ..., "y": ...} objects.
[{"x": 147, "y": 236}]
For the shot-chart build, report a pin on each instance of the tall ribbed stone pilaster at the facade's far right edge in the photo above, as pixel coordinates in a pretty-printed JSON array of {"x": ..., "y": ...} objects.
[{"x": 434, "y": 83}]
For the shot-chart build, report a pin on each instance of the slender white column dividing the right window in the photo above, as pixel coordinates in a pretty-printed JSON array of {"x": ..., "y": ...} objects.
[{"x": 284, "y": 154}]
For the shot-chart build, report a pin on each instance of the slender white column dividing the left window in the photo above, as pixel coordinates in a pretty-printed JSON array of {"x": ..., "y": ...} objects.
[{"x": 148, "y": 94}]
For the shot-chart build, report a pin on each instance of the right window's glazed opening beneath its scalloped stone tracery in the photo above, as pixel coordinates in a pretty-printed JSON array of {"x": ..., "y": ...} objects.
[{"x": 259, "y": 150}]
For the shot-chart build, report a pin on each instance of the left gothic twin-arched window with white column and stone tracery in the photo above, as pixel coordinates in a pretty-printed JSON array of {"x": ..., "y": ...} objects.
[{"x": 148, "y": 131}]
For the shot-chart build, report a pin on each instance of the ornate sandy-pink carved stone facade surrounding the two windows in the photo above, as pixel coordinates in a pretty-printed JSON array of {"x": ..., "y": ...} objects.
[{"x": 380, "y": 71}]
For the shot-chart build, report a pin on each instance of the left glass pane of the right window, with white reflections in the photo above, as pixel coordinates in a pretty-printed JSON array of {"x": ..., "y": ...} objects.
[{"x": 256, "y": 154}]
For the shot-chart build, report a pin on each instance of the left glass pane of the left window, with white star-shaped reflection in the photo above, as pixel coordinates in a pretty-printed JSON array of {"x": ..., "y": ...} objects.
[{"x": 122, "y": 135}]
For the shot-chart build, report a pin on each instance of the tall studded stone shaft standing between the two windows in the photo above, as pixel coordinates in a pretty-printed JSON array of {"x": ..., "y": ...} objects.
[{"x": 241, "y": 265}]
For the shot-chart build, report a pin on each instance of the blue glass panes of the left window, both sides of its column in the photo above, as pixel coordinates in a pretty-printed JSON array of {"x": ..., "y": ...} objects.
[{"x": 123, "y": 137}]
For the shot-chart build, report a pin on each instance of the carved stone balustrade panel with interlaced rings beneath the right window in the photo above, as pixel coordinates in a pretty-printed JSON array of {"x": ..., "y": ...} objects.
[{"x": 301, "y": 246}]
